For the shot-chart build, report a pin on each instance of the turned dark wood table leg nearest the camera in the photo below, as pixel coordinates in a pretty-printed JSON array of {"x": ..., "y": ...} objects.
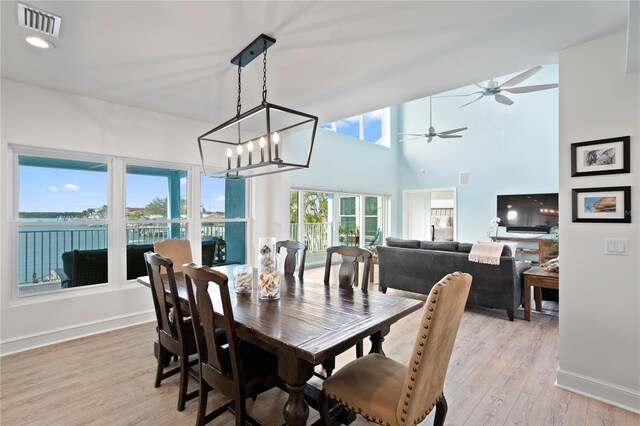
[{"x": 295, "y": 373}]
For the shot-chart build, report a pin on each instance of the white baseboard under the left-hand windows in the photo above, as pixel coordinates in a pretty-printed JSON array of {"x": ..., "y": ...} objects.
[{"x": 23, "y": 343}]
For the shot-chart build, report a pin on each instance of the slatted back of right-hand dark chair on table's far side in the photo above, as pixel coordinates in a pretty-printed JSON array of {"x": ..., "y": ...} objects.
[{"x": 349, "y": 266}]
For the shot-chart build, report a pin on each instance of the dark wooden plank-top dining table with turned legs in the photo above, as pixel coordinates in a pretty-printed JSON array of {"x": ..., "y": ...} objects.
[{"x": 311, "y": 323}]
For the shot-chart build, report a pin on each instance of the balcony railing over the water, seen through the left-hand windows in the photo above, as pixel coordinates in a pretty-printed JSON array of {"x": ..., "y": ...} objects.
[{"x": 40, "y": 251}]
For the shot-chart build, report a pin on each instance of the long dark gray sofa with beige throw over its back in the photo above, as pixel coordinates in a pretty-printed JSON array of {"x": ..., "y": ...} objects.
[{"x": 415, "y": 266}]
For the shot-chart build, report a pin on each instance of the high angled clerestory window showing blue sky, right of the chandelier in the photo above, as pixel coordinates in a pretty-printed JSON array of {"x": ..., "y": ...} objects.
[{"x": 372, "y": 127}]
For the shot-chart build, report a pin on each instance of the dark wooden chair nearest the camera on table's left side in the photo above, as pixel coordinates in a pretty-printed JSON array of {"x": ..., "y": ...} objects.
[{"x": 238, "y": 369}]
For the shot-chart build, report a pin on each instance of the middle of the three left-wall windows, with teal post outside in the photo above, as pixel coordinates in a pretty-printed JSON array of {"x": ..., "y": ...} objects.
[{"x": 155, "y": 210}]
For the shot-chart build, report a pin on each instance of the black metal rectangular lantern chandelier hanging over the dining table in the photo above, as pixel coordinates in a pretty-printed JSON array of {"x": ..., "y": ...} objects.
[{"x": 270, "y": 162}]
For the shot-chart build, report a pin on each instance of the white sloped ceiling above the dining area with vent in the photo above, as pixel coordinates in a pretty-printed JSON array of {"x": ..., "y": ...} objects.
[{"x": 333, "y": 59}]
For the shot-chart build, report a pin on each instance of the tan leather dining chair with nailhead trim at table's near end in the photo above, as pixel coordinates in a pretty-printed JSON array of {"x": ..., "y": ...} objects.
[{"x": 387, "y": 392}]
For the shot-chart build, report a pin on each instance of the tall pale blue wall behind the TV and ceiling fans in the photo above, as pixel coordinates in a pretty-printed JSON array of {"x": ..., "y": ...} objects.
[{"x": 506, "y": 150}]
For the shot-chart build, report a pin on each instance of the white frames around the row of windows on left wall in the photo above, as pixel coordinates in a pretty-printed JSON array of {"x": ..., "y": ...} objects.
[{"x": 116, "y": 220}]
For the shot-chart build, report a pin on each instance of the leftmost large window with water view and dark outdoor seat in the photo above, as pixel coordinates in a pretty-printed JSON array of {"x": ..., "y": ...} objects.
[{"x": 62, "y": 217}]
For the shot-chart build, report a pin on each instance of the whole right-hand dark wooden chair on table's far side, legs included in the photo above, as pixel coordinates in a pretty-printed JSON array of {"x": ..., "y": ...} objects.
[{"x": 347, "y": 279}]
